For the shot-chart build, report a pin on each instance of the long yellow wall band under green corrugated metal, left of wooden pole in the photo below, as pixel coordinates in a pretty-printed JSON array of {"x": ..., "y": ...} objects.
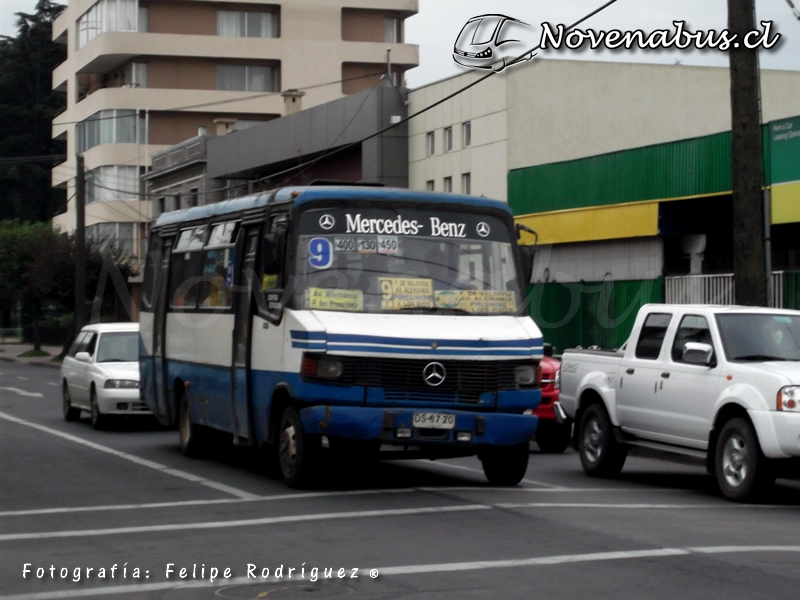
[{"x": 592, "y": 224}]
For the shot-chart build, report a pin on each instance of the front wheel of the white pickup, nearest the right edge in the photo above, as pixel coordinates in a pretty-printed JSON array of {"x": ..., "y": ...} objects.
[{"x": 743, "y": 472}]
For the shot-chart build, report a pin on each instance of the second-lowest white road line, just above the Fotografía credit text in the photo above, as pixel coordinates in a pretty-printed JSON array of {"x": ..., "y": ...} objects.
[{"x": 364, "y": 514}]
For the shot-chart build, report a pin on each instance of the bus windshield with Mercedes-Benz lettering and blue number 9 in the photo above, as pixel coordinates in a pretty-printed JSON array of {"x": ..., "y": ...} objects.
[{"x": 379, "y": 260}]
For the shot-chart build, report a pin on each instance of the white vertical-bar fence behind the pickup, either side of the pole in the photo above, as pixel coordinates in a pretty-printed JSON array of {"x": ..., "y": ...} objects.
[{"x": 714, "y": 289}]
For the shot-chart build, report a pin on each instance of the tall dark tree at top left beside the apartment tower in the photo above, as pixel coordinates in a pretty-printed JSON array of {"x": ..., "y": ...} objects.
[{"x": 27, "y": 107}]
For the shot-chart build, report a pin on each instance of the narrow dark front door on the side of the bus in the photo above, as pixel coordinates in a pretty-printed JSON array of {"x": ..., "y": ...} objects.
[{"x": 242, "y": 328}]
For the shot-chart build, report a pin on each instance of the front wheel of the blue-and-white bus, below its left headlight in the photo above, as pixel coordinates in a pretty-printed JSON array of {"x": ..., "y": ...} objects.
[{"x": 298, "y": 452}]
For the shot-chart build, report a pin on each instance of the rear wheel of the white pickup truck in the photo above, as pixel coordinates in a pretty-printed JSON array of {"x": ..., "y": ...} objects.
[{"x": 601, "y": 455}]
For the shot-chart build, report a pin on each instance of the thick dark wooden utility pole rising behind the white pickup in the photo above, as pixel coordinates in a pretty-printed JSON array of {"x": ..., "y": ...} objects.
[{"x": 750, "y": 274}]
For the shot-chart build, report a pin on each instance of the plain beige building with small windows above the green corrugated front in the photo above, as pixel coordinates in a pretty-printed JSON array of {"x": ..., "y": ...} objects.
[{"x": 549, "y": 111}]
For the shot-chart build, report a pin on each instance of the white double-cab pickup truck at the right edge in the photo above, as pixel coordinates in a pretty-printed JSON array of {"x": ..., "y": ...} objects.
[{"x": 717, "y": 382}]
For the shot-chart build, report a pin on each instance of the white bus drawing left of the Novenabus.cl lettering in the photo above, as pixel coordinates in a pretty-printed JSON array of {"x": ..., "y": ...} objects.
[{"x": 486, "y": 42}]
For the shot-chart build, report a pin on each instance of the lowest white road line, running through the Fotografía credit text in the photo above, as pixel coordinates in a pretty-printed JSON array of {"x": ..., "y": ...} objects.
[{"x": 405, "y": 570}]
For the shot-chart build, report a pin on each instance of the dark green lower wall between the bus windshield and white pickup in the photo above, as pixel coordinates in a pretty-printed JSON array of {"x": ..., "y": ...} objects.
[{"x": 587, "y": 314}]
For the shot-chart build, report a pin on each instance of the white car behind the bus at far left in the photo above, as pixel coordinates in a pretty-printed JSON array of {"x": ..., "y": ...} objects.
[{"x": 100, "y": 373}]
